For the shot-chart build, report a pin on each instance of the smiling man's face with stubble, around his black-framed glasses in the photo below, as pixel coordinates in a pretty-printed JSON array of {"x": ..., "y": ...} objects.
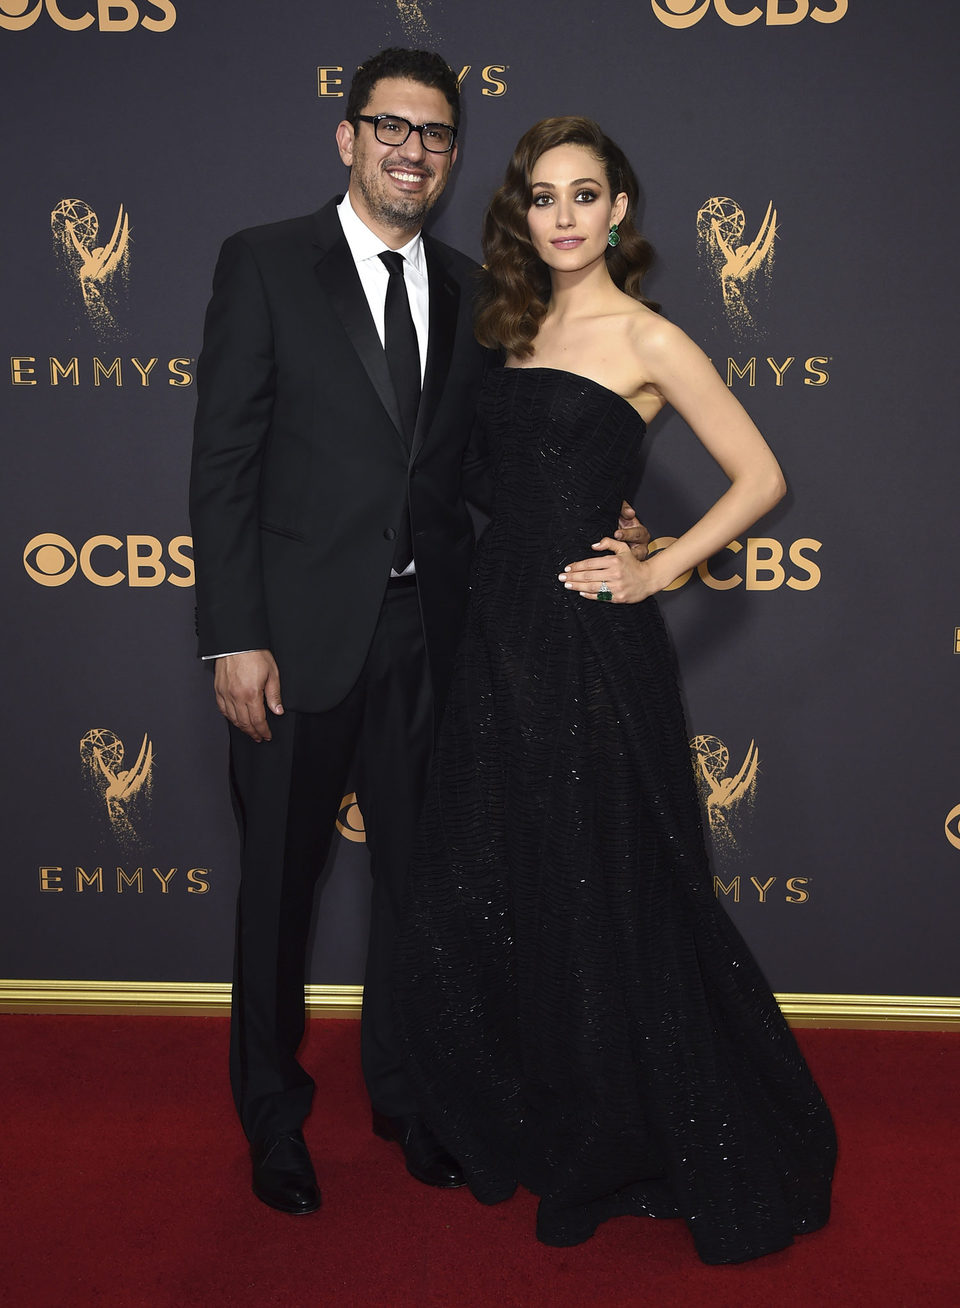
[{"x": 393, "y": 188}]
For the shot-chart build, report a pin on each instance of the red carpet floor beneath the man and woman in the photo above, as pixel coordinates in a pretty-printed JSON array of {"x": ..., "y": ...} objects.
[{"x": 125, "y": 1182}]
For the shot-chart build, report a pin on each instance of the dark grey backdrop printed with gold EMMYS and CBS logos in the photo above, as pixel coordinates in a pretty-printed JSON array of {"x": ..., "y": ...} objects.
[{"x": 797, "y": 188}]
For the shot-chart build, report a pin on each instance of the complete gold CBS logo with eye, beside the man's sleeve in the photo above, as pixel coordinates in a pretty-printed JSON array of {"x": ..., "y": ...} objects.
[{"x": 52, "y": 560}]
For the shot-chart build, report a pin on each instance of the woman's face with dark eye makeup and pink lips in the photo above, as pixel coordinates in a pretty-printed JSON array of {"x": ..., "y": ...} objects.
[{"x": 572, "y": 209}]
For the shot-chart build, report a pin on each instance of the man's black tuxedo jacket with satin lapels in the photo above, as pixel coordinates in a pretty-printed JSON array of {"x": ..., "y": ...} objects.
[{"x": 300, "y": 468}]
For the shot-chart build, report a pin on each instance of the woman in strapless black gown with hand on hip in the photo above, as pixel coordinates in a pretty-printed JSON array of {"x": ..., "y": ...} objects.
[{"x": 581, "y": 1017}]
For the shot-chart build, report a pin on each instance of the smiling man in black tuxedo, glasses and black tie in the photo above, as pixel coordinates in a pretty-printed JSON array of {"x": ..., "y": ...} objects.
[{"x": 335, "y": 394}]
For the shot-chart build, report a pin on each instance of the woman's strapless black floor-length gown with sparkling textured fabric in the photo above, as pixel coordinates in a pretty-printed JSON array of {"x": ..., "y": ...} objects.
[{"x": 580, "y": 1014}]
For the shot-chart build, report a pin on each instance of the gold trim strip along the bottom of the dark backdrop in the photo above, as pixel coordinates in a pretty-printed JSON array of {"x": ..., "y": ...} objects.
[{"x": 870, "y": 1012}]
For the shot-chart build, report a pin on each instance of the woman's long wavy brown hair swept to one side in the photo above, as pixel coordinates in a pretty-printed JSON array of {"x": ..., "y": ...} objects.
[{"x": 516, "y": 283}]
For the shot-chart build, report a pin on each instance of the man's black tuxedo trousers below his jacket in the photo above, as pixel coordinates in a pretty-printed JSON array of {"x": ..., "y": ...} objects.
[{"x": 287, "y": 796}]
